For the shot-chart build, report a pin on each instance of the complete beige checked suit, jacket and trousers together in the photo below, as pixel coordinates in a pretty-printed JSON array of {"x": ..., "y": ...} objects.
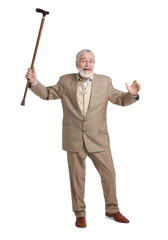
[{"x": 87, "y": 135}]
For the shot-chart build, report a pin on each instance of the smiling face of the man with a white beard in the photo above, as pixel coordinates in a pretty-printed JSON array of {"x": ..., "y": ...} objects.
[{"x": 86, "y": 64}]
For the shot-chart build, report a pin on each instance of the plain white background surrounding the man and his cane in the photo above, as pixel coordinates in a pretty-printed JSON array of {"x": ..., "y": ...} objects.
[{"x": 129, "y": 39}]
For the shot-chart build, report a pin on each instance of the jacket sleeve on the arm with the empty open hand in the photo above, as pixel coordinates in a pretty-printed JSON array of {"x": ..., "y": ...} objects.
[{"x": 118, "y": 97}]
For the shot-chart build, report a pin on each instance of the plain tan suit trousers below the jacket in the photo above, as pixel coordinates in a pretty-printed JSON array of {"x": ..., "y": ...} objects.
[{"x": 104, "y": 164}]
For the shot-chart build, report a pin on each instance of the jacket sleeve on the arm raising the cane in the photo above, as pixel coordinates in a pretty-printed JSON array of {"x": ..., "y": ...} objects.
[{"x": 48, "y": 93}]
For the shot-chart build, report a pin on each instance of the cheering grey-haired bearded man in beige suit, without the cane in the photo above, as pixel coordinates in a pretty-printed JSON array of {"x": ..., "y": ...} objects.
[{"x": 84, "y": 96}]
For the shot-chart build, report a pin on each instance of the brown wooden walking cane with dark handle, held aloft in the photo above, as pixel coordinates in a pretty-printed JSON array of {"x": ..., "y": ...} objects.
[{"x": 36, "y": 47}]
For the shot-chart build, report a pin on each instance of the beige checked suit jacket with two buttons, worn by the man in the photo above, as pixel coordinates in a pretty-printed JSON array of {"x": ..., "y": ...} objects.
[{"x": 91, "y": 129}]
